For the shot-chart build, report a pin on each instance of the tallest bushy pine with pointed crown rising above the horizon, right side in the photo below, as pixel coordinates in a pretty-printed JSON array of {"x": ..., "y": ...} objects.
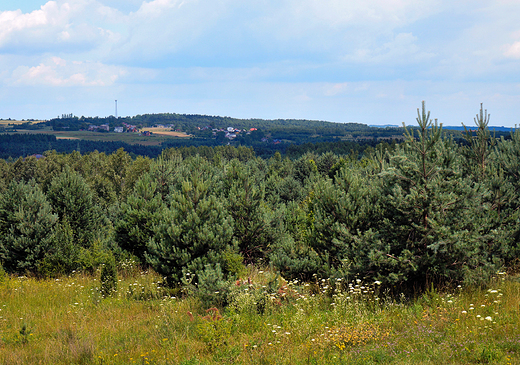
[{"x": 432, "y": 213}]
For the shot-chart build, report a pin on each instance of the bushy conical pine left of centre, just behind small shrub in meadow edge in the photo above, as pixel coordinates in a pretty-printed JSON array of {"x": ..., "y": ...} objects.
[{"x": 193, "y": 232}]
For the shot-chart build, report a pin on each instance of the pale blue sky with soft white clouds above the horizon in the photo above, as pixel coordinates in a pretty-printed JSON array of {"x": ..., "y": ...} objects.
[{"x": 370, "y": 61}]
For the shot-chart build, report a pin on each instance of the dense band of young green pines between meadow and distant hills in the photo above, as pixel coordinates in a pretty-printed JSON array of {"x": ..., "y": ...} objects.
[{"x": 408, "y": 214}]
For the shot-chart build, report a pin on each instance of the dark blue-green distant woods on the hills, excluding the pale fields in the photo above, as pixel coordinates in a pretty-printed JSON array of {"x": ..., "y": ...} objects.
[{"x": 289, "y": 137}]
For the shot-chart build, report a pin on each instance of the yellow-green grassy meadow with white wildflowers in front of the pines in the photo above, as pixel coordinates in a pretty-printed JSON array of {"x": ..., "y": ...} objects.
[{"x": 66, "y": 321}]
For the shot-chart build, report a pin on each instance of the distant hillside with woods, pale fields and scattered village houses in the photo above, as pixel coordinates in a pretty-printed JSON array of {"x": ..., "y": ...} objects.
[{"x": 69, "y": 133}]
